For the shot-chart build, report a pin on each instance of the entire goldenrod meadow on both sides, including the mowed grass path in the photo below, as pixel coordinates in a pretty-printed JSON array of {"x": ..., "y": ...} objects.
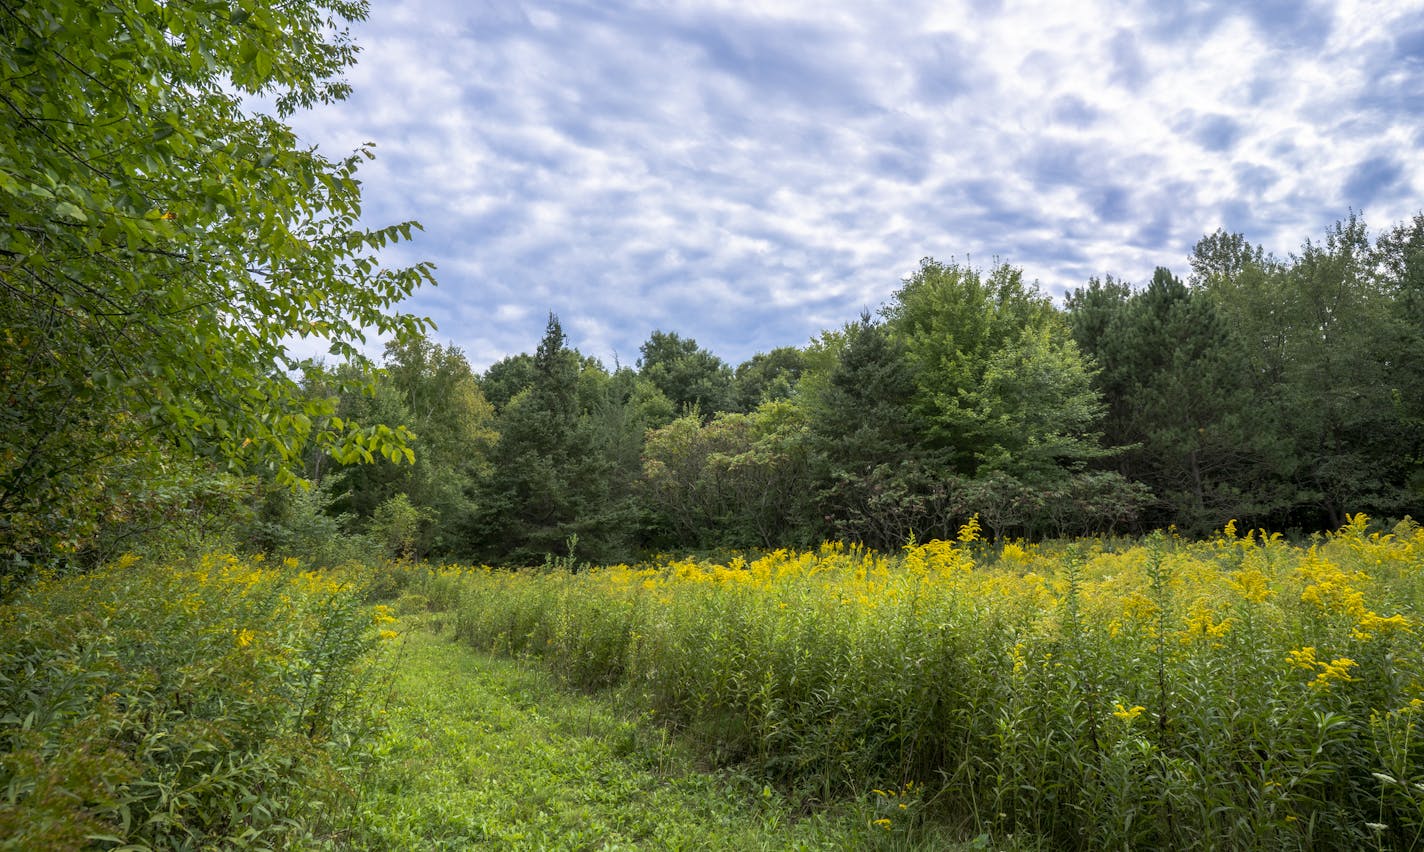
[{"x": 1235, "y": 693}]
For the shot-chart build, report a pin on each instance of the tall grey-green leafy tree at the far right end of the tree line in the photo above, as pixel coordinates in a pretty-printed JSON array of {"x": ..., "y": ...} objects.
[{"x": 1329, "y": 357}]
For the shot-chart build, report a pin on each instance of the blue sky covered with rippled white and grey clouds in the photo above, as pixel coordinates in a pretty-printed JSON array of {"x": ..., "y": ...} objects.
[{"x": 751, "y": 173}]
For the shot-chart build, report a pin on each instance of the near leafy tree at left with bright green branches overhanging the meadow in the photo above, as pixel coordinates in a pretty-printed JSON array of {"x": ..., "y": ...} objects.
[{"x": 160, "y": 246}]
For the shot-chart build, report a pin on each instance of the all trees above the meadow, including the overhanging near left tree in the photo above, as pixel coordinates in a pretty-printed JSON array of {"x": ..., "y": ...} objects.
[{"x": 162, "y": 246}]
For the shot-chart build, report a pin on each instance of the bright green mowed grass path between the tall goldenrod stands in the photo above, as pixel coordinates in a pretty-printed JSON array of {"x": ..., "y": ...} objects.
[{"x": 491, "y": 753}]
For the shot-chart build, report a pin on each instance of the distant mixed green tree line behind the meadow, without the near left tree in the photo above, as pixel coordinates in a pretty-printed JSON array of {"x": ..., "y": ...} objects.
[{"x": 1279, "y": 393}]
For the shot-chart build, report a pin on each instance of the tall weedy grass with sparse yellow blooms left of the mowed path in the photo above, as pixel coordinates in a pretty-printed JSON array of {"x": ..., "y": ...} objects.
[{"x": 211, "y": 705}]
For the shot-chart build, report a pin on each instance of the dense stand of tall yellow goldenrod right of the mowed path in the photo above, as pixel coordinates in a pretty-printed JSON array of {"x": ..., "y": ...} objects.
[{"x": 1235, "y": 693}]
